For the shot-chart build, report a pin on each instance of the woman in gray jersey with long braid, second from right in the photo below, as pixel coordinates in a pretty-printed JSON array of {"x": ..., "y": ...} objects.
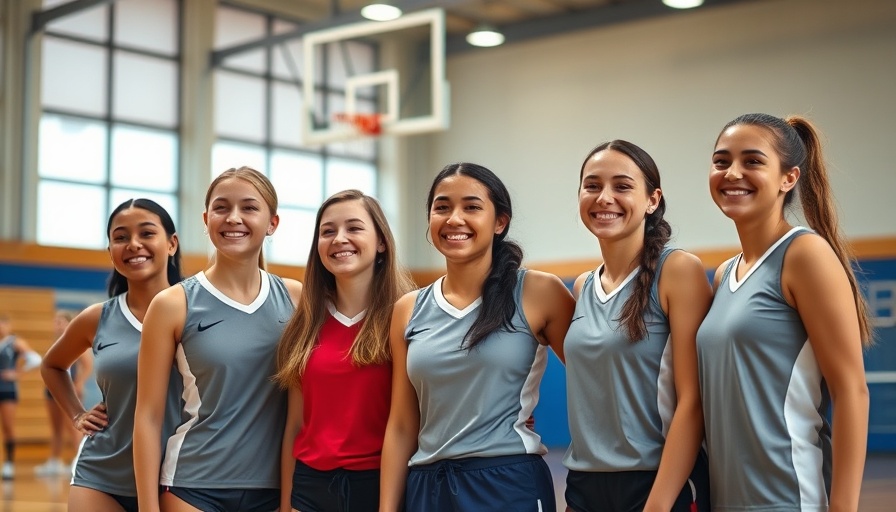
[{"x": 631, "y": 364}]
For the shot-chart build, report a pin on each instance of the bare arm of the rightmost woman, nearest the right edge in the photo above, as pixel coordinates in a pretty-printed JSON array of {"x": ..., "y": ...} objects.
[{"x": 815, "y": 284}]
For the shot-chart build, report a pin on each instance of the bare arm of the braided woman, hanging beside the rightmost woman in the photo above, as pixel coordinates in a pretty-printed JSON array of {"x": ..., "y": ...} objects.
[{"x": 685, "y": 295}]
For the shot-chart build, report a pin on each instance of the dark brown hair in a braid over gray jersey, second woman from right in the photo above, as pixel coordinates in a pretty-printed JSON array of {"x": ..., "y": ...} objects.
[{"x": 656, "y": 235}]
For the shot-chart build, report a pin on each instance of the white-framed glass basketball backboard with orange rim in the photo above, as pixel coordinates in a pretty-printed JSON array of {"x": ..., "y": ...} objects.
[{"x": 404, "y": 87}]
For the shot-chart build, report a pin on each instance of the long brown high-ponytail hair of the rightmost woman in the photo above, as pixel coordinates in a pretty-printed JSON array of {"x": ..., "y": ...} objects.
[{"x": 798, "y": 144}]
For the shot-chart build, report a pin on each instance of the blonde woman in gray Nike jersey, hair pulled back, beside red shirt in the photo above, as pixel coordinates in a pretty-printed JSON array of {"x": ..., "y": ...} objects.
[{"x": 220, "y": 327}]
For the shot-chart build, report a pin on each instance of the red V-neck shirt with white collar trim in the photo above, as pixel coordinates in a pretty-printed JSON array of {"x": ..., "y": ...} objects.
[{"x": 345, "y": 406}]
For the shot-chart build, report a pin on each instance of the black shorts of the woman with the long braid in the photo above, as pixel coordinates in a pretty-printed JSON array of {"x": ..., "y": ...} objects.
[{"x": 627, "y": 491}]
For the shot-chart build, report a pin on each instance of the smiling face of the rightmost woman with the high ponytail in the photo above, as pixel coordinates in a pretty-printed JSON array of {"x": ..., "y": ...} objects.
[{"x": 747, "y": 180}]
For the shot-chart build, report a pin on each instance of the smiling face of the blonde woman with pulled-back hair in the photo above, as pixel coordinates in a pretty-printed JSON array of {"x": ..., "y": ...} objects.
[{"x": 238, "y": 218}]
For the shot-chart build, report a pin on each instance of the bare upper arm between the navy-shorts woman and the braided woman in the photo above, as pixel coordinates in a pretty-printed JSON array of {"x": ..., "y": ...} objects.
[{"x": 548, "y": 306}]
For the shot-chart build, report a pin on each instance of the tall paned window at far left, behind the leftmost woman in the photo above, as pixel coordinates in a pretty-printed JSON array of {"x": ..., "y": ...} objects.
[{"x": 109, "y": 126}]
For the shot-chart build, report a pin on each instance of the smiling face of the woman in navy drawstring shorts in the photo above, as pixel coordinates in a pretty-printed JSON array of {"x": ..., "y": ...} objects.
[{"x": 462, "y": 218}]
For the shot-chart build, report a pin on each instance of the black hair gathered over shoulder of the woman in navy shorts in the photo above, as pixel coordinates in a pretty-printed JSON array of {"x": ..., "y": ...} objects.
[{"x": 498, "y": 305}]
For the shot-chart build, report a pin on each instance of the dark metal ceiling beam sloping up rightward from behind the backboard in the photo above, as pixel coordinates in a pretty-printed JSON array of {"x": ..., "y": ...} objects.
[{"x": 586, "y": 19}]
